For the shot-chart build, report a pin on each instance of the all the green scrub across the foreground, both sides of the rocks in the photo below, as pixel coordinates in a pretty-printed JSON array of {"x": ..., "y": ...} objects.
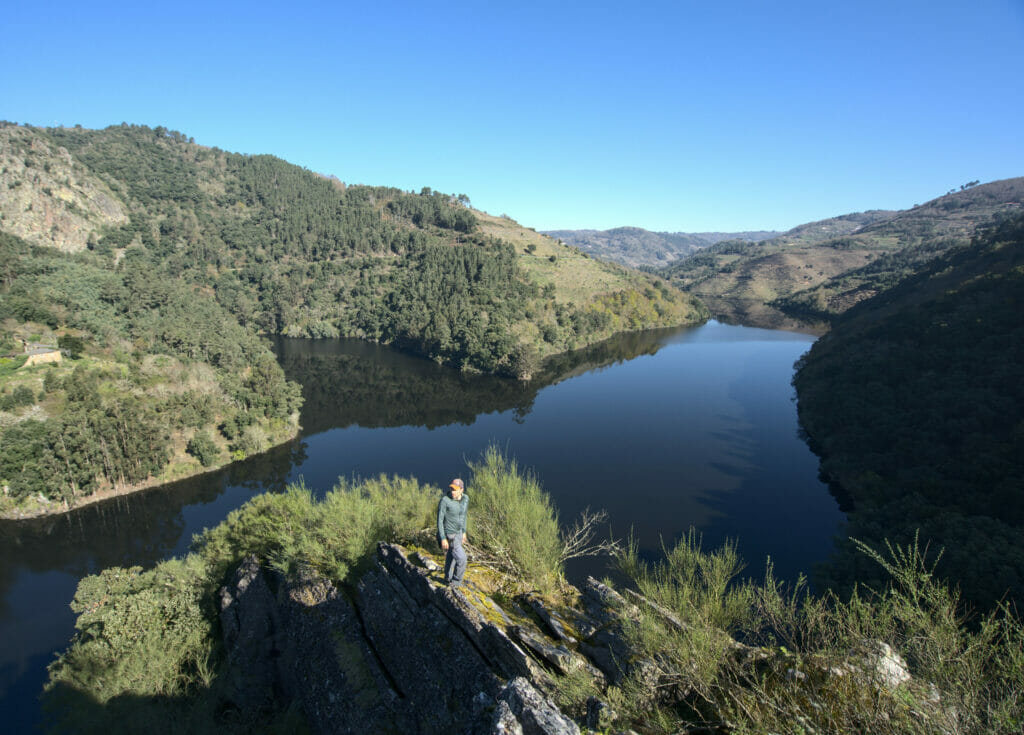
[{"x": 750, "y": 658}]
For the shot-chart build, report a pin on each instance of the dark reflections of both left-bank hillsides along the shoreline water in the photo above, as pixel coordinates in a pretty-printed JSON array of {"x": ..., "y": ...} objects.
[{"x": 347, "y": 383}]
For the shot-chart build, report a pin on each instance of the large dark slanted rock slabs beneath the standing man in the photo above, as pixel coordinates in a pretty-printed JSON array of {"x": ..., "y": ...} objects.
[{"x": 402, "y": 653}]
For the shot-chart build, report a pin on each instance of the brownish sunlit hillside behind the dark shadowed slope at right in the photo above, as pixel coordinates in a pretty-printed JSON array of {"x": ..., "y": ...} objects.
[{"x": 821, "y": 270}]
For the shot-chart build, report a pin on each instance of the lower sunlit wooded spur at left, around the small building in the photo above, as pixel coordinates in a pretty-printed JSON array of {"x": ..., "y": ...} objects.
[{"x": 154, "y": 363}]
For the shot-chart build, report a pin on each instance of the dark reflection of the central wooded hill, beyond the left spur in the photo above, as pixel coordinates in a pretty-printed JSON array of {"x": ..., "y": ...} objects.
[{"x": 356, "y": 383}]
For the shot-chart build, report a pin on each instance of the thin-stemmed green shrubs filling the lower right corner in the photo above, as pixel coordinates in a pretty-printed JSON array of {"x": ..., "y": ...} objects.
[{"x": 815, "y": 668}]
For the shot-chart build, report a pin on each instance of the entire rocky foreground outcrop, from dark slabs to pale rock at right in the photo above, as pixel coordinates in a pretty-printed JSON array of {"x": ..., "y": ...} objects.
[{"x": 401, "y": 653}]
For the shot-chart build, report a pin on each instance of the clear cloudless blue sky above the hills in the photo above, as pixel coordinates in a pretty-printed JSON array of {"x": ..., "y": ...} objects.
[{"x": 669, "y": 116}]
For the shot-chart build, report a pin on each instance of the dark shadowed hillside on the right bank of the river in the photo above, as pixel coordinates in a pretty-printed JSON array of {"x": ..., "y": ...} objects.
[{"x": 915, "y": 402}]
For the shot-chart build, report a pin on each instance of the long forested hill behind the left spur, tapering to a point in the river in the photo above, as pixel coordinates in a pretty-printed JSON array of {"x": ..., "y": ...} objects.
[{"x": 289, "y": 252}]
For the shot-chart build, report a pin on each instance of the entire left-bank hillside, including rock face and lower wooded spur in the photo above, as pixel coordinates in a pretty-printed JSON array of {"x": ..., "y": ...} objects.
[{"x": 155, "y": 264}]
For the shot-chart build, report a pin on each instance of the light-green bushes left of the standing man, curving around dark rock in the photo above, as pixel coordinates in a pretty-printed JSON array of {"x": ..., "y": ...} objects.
[{"x": 148, "y": 650}]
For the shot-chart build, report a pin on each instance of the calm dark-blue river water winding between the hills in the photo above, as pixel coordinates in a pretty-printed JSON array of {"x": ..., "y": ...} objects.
[{"x": 664, "y": 430}]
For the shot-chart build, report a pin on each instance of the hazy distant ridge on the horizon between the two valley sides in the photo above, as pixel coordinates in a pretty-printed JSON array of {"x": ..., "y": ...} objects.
[{"x": 636, "y": 247}]
